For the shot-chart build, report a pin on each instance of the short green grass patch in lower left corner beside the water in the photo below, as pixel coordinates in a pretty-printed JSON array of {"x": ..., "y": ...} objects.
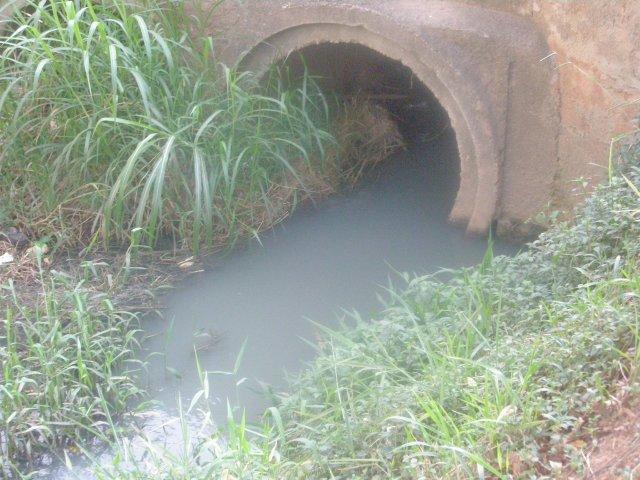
[{"x": 66, "y": 368}]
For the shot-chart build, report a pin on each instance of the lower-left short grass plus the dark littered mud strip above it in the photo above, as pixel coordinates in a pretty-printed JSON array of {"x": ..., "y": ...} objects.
[{"x": 70, "y": 360}]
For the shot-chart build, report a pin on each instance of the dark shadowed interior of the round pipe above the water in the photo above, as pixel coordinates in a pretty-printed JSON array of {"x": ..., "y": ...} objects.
[{"x": 356, "y": 72}]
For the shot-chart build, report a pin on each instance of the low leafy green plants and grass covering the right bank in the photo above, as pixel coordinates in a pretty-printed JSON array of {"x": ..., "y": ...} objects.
[{"x": 495, "y": 372}]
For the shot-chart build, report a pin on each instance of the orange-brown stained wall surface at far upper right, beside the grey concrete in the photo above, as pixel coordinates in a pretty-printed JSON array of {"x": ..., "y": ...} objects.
[{"x": 595, "y": 45}]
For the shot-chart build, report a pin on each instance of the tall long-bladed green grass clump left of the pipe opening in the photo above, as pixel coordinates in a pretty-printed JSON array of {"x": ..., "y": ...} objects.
[{"x": 117, "y": 125}]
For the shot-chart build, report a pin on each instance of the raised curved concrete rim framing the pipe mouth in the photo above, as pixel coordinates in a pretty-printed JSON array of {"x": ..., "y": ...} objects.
[{"x": 479, "y": 155}]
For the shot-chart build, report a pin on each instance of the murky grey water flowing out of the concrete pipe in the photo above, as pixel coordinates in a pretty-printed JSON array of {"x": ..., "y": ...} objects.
[{"x": 327, "y": 259}]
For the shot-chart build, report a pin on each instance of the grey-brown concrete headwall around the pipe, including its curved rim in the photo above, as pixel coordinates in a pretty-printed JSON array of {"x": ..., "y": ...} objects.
[{"x": 482, "y": 66}]
